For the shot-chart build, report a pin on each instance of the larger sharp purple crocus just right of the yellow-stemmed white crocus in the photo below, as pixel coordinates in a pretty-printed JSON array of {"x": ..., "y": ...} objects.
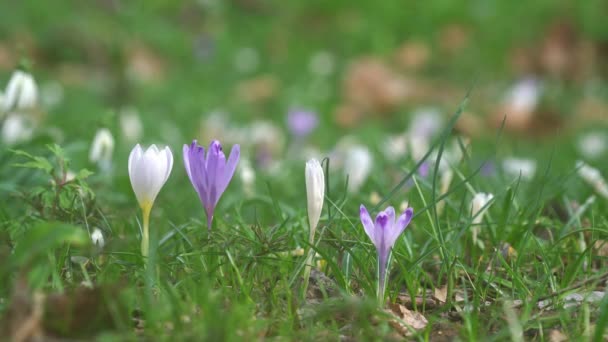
[{"x": 210, "y": 173}]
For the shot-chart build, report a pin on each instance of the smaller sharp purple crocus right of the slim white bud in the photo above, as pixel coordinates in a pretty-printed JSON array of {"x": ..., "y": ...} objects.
[{"x": 383, "y": 233}]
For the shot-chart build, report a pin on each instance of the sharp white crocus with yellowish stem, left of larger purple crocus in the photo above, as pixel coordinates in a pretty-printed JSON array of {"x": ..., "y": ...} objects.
[{"x": 148, "y": 171}]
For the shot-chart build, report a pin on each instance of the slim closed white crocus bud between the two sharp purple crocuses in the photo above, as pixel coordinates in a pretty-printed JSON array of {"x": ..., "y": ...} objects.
[{"x": 315, "y": 192}]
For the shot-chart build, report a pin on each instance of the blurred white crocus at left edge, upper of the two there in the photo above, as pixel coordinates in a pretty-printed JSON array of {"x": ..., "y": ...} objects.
[{"x": 21, "y": 92}]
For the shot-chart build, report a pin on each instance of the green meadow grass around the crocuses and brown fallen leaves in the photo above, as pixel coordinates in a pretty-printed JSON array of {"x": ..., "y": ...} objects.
[{"x": 538, "y": 271}]
